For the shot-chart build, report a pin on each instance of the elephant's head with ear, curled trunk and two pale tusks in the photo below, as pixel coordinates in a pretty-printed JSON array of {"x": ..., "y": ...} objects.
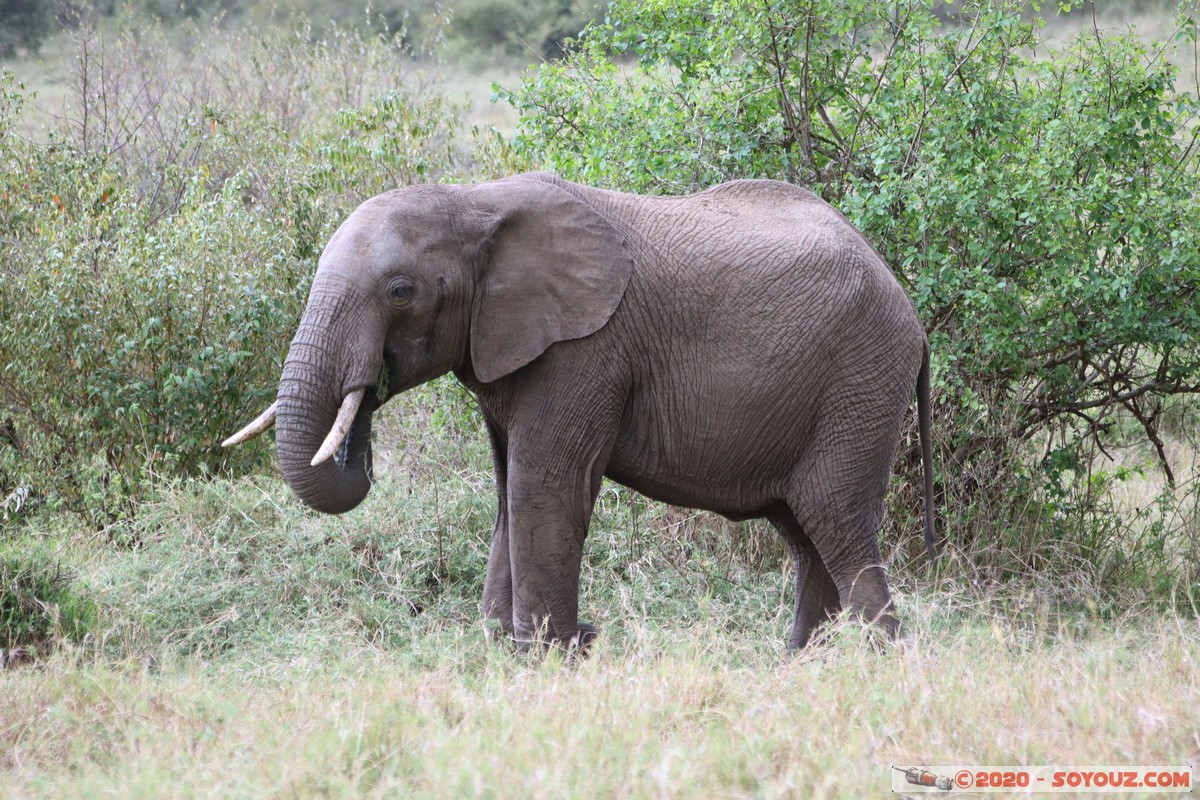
[{"x": 423, "y": 281}]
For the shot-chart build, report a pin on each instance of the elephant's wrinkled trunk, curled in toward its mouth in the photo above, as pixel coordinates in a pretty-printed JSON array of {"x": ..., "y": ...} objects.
[{"x": 319, "y": 382}]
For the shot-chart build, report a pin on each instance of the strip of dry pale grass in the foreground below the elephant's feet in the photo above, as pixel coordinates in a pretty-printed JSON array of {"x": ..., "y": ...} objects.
[{"x": 686, "y": 720}]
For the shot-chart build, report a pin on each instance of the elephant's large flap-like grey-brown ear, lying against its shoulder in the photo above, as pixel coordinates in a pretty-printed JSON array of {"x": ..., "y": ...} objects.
[{"x": 554, "y": 270}]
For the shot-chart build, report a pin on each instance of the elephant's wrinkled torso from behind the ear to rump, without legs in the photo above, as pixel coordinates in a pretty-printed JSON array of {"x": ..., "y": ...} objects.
[{"x": 753, "y": 308}]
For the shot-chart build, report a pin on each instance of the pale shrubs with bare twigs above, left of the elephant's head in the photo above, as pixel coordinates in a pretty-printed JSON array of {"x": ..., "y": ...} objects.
[{"x": 160, "y": 243}]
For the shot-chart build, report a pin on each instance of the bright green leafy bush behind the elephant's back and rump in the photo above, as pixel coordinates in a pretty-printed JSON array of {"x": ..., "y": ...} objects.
[{"x": 1037, "y": 202}]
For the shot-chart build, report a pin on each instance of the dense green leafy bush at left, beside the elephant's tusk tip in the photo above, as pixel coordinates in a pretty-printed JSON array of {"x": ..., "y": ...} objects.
[{"x": 131, "y": 347}]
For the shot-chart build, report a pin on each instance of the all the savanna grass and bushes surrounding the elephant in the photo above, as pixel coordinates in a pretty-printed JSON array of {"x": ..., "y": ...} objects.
[{"x": 175, "y": 624}]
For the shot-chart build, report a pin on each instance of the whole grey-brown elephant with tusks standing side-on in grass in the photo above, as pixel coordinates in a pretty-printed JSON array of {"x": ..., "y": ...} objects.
[{"x": 742, "y": 351}]
